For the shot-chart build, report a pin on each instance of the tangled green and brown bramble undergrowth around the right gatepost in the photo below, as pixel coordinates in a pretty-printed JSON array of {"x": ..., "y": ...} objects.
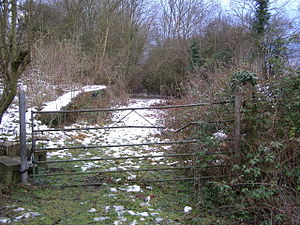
[{"x": 263, "y": 186}]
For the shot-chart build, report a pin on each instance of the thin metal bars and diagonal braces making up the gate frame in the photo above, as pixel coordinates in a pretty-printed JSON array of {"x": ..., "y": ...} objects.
[{"x": 34, "y": 149}]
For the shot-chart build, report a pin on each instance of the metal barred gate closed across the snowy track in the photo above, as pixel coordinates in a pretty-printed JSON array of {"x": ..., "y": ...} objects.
[{"x": 48, "y": 171}]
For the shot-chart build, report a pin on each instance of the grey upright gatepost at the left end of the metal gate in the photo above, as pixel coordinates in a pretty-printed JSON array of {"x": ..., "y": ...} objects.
[{"x": 23, "y": 148}]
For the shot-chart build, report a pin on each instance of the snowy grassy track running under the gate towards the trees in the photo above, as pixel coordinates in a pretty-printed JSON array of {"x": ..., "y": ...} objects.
[{"x": 117, "y": 201}]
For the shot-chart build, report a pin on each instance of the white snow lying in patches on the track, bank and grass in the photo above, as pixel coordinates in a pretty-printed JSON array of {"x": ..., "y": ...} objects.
[{"x": 116, "y": 137}]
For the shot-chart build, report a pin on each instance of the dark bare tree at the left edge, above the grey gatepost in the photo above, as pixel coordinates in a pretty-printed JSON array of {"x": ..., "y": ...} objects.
[{"x": 14, "y": 55}]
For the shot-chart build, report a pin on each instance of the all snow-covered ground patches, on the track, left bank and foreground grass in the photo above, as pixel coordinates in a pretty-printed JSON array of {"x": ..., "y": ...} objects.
[{"x": 149, "y": 117}]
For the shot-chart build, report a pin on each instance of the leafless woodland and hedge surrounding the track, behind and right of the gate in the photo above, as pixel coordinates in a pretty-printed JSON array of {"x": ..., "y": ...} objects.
[{"x": 191, "y": 51}]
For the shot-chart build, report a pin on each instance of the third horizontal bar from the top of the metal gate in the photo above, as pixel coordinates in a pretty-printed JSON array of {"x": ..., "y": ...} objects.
[{"x": 119, "y": 145}]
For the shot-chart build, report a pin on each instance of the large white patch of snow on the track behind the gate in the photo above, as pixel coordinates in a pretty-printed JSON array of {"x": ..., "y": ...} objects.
[{"x": 116, "y": 136}]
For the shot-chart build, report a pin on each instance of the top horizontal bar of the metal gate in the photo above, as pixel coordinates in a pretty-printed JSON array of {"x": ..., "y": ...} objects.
[{"x": 126, "y": 109}]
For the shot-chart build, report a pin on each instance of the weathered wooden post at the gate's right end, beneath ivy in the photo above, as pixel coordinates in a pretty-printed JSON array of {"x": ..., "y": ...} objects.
[{"x": 237, "y": 124}]
